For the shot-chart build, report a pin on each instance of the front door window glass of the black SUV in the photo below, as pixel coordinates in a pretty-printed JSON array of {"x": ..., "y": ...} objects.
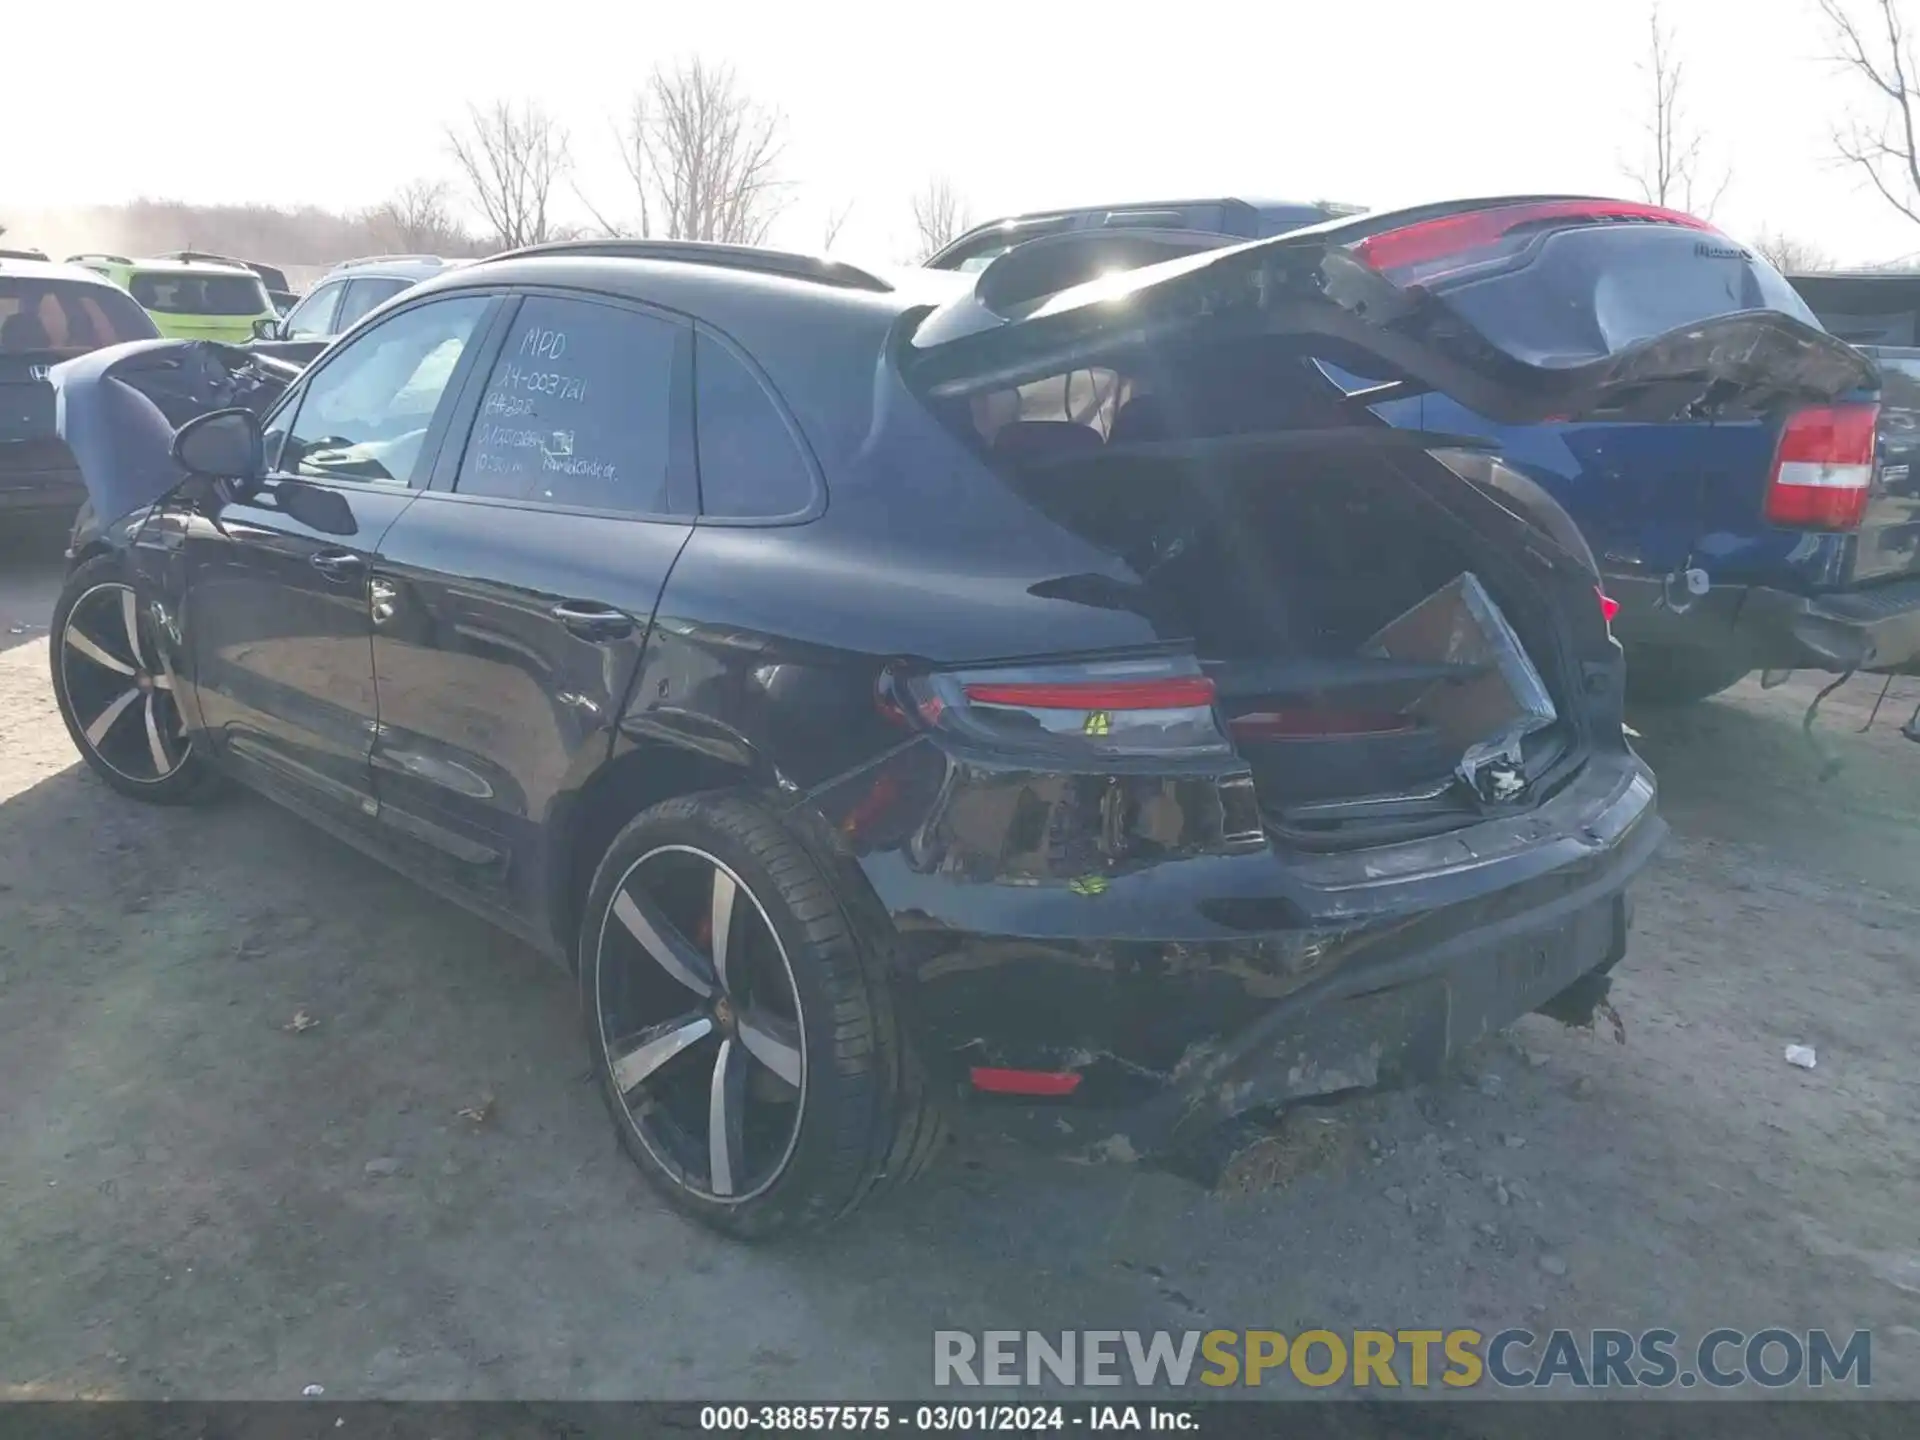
[{"x": 368, "y": 410}]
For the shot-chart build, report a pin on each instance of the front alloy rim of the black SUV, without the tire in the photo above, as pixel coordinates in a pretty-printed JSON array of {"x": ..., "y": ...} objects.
[{"x": 120, "y": 686}]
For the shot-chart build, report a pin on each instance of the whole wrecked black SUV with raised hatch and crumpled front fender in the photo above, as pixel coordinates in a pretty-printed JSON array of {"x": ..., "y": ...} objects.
[{"x": 896, "y": 692}]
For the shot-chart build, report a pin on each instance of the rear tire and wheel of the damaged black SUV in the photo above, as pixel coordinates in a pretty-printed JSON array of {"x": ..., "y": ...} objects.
[{"x": 861, "y": 1118}]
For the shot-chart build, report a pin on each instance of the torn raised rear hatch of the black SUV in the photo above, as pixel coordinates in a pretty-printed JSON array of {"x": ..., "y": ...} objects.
[{"x": 1525, "y": 310}]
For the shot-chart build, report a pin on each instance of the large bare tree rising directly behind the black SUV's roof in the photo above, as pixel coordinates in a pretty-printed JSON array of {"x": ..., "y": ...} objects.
[{"x": 704, "y": 156}]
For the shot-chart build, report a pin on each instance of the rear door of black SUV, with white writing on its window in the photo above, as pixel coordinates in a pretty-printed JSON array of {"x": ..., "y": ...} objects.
[{"x": 512, "y": 604}]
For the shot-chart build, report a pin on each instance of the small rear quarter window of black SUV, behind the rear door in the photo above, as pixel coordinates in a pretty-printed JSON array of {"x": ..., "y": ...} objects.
[{"x": 752, "y": 466}]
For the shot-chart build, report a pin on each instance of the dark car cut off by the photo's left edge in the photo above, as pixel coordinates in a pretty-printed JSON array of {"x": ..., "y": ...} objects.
[{"x": 49, "y": 314}]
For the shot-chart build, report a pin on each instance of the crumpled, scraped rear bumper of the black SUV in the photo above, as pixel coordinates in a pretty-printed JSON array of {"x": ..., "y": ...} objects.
[{"x": 1212, "y": 982}]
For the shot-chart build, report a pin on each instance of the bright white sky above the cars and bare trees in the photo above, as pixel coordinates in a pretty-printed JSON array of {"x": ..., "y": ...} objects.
[{"x": 1032, "y": 105}]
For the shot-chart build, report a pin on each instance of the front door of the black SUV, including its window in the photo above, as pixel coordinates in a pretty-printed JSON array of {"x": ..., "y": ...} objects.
[{"x": 277, "y": 617}]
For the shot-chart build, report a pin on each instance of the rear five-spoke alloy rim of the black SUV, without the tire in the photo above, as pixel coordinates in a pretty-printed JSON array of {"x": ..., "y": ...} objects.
[{"x": 702, "y": 1024}]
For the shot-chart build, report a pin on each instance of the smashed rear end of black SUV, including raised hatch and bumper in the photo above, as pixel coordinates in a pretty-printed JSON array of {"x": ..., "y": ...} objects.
[{"x": 1362, "y": 794}]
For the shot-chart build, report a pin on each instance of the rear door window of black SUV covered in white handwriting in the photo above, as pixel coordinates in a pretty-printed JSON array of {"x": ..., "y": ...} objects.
[{"x": 581, "y": 410}]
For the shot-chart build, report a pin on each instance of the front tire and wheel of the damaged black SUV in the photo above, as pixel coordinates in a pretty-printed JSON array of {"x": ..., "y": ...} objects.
[{"x": 116, "y": 690}]
